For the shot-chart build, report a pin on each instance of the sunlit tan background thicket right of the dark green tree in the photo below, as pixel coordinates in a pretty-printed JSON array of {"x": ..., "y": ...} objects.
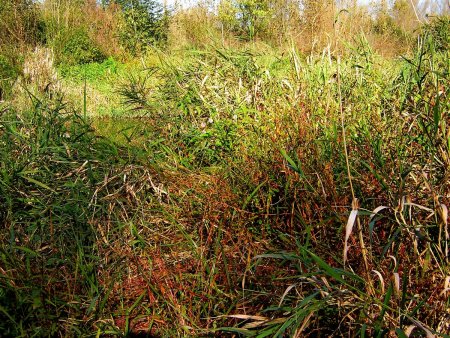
[{"x": 312, "y": 25}]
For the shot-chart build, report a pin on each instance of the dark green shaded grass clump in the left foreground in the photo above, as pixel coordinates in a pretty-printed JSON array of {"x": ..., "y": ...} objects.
[{"x": 51, "y": 166}]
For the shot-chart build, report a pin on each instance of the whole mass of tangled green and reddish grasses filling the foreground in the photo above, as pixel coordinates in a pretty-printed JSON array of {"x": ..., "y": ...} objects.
[{"x": 226, "y": 205}]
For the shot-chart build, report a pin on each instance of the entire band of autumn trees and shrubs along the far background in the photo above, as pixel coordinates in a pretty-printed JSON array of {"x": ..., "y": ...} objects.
[{"x": 86, "y": 31}]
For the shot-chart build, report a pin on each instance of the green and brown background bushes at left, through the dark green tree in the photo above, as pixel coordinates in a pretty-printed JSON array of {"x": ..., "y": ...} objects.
[{"x": 77, "y": 32}]
